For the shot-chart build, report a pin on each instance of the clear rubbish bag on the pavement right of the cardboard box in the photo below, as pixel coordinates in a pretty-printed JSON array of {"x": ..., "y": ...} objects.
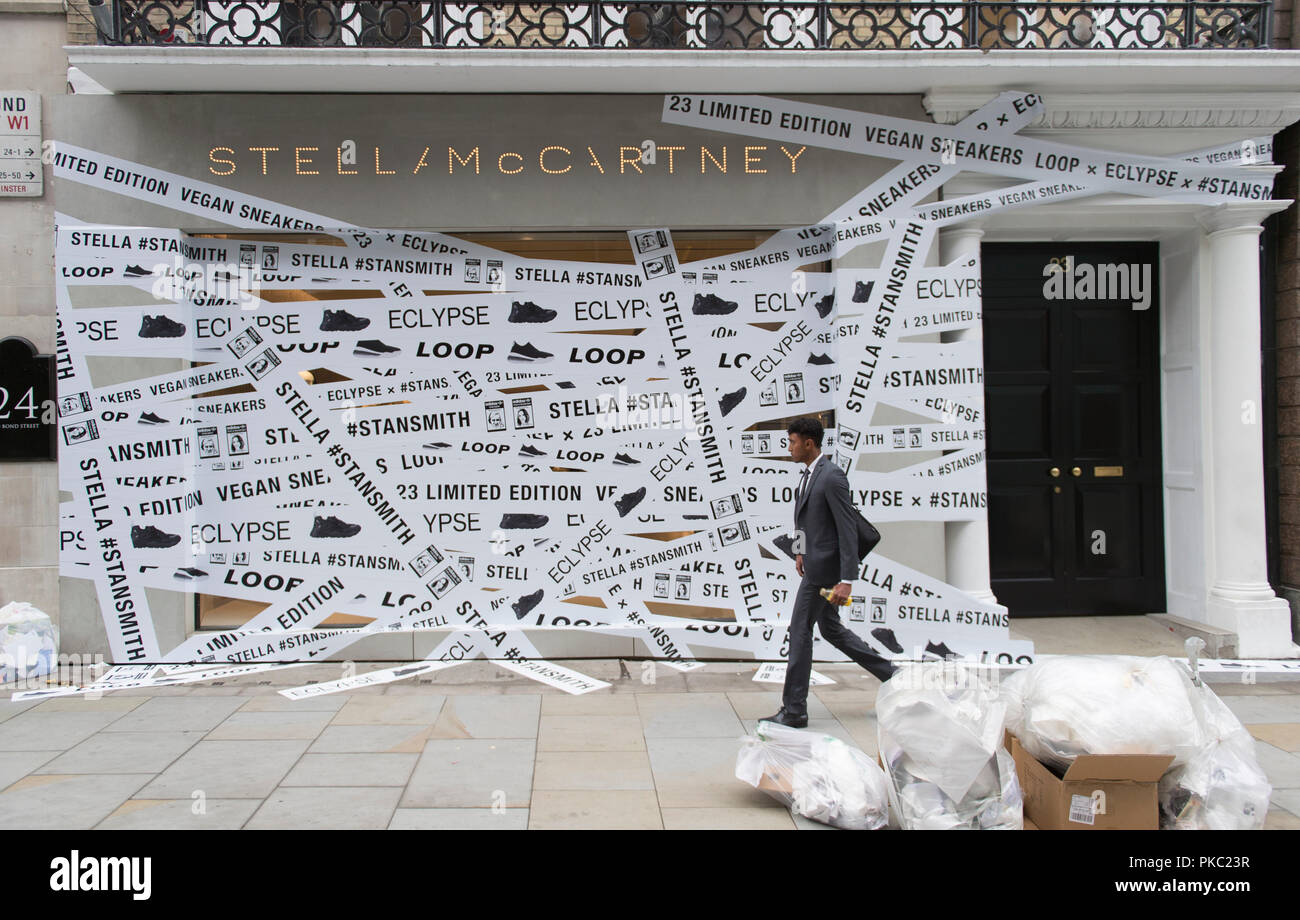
[{"x": 1221, "y": 787}]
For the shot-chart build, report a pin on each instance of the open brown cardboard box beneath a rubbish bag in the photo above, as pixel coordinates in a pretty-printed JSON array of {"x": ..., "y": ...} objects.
[{"x": 1124, "y": 786}]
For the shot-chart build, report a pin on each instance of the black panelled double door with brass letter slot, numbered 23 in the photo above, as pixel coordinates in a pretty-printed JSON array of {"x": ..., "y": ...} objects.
[{"x": 1072, "y": 390}]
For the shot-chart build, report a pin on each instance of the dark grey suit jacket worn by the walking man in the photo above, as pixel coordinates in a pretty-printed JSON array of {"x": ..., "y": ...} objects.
[{"x": 826, "y": 517}]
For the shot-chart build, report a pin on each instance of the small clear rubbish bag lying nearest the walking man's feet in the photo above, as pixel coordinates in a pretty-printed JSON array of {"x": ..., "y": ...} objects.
[{"x": 817, "y": 776}]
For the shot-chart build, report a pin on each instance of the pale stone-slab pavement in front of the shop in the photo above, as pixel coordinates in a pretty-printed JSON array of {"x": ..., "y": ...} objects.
[{"x": 478, "y": 747}]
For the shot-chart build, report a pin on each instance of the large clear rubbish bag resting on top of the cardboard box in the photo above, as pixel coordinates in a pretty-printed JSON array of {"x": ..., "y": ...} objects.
[{"x": 1063, "y": 708}]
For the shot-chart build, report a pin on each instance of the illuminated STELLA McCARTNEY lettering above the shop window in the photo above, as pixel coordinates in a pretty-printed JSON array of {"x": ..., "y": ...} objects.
[{"x": 349, "y": 159}]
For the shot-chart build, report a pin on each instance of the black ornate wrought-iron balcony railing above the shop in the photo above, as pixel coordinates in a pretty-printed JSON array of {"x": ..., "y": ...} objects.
[{"x": 748, "y": 25}]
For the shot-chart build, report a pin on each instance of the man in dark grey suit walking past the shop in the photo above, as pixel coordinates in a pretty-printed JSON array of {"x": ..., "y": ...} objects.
[{"x": 829, "y": 524}]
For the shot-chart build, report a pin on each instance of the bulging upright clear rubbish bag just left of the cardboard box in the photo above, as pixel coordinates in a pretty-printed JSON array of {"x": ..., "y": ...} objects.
[{"x": 941, "y": 732}]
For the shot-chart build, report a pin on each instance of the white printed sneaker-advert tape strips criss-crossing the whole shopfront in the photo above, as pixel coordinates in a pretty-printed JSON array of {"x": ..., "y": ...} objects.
[{"x": 505, "y": 445}]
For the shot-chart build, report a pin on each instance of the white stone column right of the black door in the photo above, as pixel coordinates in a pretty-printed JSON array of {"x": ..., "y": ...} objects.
[{"x": 1240, "y": 594}]
